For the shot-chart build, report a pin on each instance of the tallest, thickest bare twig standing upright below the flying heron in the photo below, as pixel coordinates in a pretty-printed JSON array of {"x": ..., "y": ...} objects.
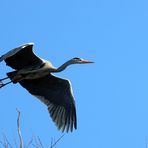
[{"x": 18, "y": 129}]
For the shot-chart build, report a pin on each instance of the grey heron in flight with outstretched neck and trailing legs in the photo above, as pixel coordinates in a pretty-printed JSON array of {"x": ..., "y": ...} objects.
[{"x": 36, "y": 76}]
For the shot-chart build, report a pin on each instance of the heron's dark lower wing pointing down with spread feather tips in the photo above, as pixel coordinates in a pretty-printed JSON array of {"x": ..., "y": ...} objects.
[{"x": 56, "y": 93}]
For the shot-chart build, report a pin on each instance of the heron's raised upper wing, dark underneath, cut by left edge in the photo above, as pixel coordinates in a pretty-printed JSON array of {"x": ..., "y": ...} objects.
[{"x": 21, "y": 57}]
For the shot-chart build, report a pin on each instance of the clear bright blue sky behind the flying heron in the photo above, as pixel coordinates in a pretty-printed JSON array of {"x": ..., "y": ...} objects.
[{"x": 111, "y": 95}]
